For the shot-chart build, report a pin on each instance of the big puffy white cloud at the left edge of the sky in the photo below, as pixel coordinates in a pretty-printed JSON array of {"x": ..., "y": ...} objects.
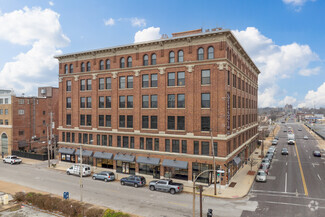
[{"x": 41, "y": 31}]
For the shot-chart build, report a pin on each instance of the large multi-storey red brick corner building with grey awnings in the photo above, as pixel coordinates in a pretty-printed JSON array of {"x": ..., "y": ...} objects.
[{"x": 150, "y": 107}]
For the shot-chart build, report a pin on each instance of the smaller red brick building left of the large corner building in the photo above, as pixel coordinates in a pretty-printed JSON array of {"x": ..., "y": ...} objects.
[{"x": 31, "y": 116}]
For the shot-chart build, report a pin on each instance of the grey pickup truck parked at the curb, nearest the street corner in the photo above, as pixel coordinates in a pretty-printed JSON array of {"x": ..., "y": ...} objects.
[{"x": 166, "y": 185}]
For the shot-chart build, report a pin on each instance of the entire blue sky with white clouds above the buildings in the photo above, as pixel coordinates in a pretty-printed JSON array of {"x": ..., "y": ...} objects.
[{"x": 285, "y": 38}]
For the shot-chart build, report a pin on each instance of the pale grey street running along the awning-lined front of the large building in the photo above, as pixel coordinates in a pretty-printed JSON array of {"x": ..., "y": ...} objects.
[{"x": 140, "y": 201}]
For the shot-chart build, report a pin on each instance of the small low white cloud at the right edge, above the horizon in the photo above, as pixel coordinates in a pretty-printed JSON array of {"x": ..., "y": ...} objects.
[{"x": 314, "y": 98}]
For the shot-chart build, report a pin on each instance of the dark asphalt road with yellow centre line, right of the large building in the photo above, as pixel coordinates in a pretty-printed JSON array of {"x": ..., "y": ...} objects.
[{"x": 293, "y": 188}]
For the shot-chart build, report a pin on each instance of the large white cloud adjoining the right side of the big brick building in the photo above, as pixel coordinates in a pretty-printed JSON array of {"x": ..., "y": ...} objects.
[{"x": 274, "y": 61}]
